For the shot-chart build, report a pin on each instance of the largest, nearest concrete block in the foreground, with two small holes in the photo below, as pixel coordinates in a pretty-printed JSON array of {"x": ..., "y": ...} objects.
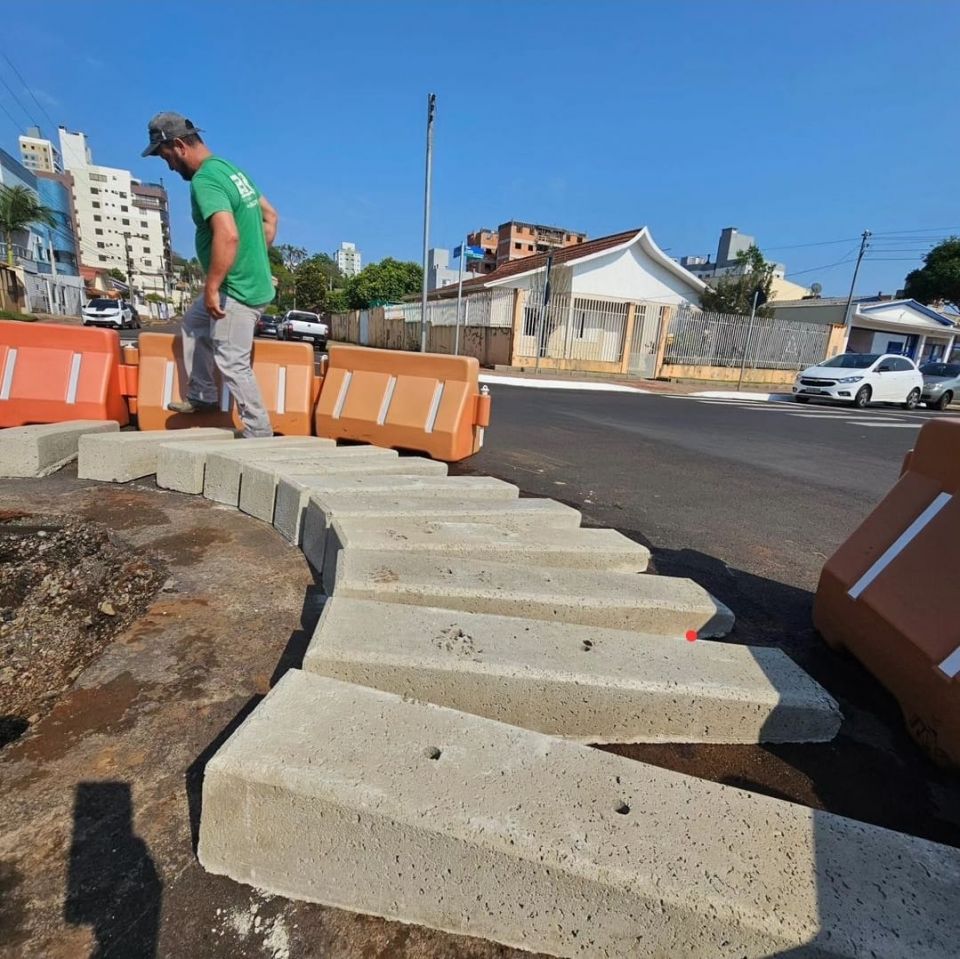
[{"x": 361, "y": 800}]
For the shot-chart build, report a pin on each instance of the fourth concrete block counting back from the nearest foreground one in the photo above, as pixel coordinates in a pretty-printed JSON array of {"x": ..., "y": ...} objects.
[{"x": 596, "y": 549}]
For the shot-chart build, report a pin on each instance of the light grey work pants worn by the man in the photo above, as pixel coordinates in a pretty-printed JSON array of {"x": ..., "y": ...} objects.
[{"x": 227, "y": 343}]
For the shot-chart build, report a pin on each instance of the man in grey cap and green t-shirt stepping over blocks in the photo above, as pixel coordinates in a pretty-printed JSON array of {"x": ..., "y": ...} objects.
[{"x": 235, "y": 224}]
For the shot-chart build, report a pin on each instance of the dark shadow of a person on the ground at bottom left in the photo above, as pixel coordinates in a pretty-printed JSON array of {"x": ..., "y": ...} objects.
[{"x": 112, "y": 883}]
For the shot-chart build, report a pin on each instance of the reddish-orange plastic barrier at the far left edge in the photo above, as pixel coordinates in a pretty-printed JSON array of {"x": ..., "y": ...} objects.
[{"x": 51, "y": 373}]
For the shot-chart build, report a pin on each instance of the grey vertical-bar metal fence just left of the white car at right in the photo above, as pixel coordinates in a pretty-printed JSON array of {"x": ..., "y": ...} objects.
[{"x": 726, "y": 339}]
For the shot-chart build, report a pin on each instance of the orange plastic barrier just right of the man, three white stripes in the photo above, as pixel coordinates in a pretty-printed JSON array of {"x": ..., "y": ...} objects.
[{"x": 417, "y": 401}]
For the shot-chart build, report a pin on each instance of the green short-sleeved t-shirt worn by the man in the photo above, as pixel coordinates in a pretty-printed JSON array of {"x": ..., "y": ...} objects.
[{"x": 219, "y": 186}]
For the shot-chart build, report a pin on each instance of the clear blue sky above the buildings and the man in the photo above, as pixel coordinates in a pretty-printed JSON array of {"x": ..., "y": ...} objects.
[{"x": 798, "y": 122}]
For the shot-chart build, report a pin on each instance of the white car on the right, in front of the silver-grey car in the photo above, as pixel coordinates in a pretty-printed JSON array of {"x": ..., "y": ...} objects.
[{"x": 860, "y": 379}]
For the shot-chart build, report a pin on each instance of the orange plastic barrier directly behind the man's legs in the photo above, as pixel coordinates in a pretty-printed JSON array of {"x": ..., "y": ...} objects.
[{"x": 284, "y": 372}]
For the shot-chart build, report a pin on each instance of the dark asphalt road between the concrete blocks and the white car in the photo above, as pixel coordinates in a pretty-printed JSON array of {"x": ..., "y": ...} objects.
[{"x": 748, "y": 499}]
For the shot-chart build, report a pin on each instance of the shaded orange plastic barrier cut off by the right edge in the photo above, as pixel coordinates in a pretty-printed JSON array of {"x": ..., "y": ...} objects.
[{"x": 890, "y": 593}]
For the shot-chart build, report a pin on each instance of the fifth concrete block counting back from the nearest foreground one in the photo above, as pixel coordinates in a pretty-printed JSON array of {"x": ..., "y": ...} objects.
[{"x": 523, "y": 514}]
